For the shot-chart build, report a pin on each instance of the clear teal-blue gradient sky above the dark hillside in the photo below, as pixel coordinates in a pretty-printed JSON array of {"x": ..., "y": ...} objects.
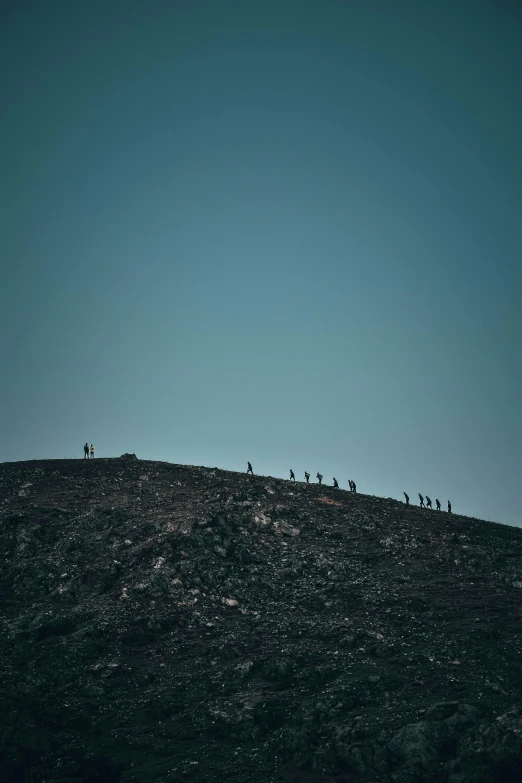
[{"x": 283, "y": 232}]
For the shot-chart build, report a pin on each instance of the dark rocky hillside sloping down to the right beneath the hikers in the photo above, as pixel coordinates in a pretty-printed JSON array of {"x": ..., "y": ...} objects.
[{"x": 172, "y": 623}]
